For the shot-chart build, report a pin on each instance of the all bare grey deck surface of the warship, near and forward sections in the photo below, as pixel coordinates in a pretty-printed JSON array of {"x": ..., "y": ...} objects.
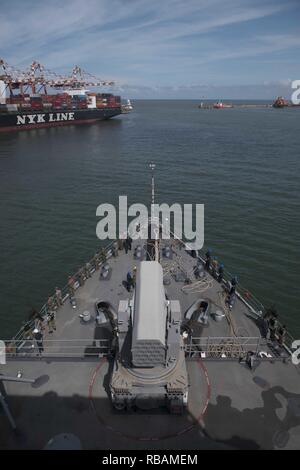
[{"x": 229, "y": 406}]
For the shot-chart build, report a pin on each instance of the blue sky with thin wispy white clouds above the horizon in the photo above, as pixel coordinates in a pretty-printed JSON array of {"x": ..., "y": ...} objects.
[{"x": 162, "y": 49}]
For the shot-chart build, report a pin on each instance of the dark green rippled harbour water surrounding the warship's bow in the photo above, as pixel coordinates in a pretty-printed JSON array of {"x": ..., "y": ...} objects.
[{"x": 243, "y": 164}]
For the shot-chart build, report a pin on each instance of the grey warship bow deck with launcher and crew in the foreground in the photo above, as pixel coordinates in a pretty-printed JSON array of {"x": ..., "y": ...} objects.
[{"x": 154, "y": 346}]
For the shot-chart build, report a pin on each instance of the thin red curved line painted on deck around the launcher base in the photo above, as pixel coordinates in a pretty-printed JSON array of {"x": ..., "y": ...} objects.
[{"x": 167, "y": 436}]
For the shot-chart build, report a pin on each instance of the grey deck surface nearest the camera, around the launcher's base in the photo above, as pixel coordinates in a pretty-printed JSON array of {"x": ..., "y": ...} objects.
[{"x": 240, "y": 409}]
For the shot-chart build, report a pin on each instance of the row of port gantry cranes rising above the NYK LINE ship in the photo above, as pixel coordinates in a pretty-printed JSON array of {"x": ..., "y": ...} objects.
[{"x": 37, "y": 78}]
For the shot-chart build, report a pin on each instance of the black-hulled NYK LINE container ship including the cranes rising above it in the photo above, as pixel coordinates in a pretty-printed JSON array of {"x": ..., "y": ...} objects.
[{"x": 26, "y": 103}]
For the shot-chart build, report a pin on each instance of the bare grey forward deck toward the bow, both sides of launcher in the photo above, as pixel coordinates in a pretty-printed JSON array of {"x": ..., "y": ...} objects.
[{"x": 69, "y": 326}]
